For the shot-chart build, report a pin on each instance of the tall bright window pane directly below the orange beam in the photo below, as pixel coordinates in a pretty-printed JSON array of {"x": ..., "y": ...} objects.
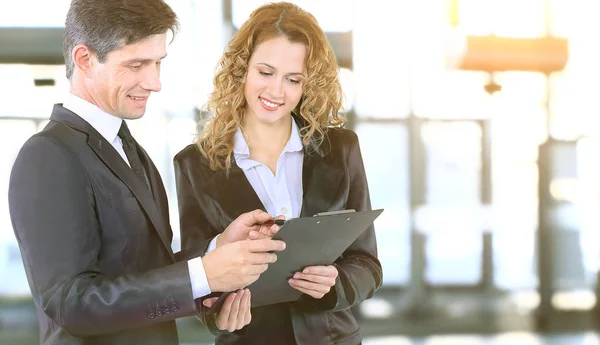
[{"x": 518, "y": 127}]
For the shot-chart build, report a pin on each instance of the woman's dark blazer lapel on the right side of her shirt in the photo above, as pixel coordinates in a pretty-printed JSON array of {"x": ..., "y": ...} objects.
[{"x": 321, "y": 177}]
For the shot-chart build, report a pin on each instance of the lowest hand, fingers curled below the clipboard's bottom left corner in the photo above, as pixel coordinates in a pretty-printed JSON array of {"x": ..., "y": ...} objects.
[{"x": 235, "y": 312}]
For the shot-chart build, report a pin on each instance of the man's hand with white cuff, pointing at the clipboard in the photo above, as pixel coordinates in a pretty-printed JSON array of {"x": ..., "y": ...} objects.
[{"x": 236, "y": 265}]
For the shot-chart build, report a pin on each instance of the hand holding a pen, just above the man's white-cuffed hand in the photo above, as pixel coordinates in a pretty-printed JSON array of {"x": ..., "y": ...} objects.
[{"x": 251, "y": 225}]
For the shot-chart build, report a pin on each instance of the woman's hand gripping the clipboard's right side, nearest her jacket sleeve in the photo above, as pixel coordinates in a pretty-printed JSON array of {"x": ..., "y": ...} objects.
[{"x": 315, "y": 281}]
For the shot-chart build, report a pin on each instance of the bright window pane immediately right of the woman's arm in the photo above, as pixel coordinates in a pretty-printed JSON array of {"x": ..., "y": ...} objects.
[{"x": 387, "y": 174}]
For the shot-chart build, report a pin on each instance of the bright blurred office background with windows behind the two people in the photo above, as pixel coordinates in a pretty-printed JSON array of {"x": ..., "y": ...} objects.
[{"x": 479, "y": 126}]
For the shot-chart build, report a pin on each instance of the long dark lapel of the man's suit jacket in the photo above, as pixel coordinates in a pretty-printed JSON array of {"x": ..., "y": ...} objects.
[{"x": 111, "y": 158}]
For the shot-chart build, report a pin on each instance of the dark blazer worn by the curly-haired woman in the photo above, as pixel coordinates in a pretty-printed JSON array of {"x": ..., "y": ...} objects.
[{"x": 333, "y": 179}]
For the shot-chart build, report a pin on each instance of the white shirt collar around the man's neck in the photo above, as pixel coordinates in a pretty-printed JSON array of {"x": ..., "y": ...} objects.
[{"x": 106, "y": 124}]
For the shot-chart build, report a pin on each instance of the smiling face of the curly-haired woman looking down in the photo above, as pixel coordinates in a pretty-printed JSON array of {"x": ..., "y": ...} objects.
[{"x": 274, "y": 80}]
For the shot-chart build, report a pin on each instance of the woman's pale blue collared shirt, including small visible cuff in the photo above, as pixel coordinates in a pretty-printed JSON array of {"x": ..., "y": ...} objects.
[{"x": 280, "y": 193}]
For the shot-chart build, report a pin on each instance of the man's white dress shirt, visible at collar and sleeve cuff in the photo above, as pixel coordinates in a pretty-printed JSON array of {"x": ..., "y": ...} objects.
[{"x": 108, "y": 126}]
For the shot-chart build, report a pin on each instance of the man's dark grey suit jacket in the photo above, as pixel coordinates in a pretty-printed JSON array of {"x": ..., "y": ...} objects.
[{"x": 95, "y": 242}]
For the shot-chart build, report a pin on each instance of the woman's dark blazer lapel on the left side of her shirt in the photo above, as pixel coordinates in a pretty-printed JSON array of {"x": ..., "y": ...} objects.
[{"x": 233, "y": 193}]
